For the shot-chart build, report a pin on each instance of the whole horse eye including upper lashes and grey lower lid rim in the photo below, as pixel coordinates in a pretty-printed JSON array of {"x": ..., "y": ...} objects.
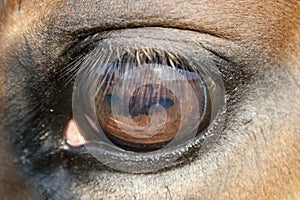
[{"x": 141, "y": 109}]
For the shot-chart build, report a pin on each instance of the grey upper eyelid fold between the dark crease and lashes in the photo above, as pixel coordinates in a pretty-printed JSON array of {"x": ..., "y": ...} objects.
[{"x": 197, "y": 40}]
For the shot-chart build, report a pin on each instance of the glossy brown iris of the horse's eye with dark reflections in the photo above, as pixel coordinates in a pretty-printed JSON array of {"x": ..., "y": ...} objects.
[{"x": 145, "y": 112}]
